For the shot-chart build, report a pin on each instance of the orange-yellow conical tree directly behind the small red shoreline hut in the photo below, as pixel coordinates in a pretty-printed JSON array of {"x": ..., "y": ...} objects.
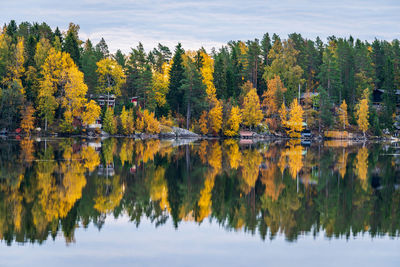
[{"x": 252, "y": 114}]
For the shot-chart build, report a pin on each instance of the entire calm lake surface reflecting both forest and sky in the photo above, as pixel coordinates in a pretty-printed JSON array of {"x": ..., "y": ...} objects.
[{"x": 193, "y": 203}]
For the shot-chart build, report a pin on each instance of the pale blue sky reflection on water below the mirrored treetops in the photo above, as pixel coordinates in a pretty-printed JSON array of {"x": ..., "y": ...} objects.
[{"x": 120, "y": 243}]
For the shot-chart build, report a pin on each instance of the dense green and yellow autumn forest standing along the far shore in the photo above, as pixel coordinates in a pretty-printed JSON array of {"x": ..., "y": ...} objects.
[{"x": 47, "y": 78}]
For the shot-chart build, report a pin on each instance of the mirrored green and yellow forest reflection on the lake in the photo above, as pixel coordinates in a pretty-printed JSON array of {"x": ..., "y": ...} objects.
[{"x": 339, "y": 188}]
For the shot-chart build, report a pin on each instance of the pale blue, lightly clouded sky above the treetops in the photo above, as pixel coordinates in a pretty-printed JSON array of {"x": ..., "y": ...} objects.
[{"x": 208, "y": 23}]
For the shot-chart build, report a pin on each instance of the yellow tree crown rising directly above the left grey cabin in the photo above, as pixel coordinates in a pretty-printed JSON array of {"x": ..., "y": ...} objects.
[{"x": 110, "y": 76}]
